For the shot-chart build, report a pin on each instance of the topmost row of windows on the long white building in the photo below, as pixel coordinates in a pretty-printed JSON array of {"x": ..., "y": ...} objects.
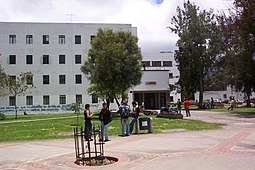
[{"x": 46, "y": 39}]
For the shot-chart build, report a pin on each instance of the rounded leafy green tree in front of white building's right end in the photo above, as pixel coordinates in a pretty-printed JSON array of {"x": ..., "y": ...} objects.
[{"x": 113, "y": 65}]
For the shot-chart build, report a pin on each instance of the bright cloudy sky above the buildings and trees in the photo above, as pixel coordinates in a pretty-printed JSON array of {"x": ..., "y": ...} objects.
[{"x": 151, "y": 17}]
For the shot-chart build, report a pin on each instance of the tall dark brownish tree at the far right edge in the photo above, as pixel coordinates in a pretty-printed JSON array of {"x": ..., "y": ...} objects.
[{"x": 239, "y": 33}]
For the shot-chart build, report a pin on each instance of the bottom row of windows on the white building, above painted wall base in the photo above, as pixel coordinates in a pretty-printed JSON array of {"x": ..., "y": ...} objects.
[{"x": 46, "y": 99}]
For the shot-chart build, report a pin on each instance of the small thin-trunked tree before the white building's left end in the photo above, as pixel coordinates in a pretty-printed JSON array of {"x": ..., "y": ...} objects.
[{"x": 18, "y": 85}]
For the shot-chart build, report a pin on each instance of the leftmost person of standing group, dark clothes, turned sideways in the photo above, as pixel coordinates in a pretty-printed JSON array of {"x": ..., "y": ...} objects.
[{"x": 88, "y": 124}]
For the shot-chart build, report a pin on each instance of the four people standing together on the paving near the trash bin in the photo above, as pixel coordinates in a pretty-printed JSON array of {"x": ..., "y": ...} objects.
[{"x": 105, "y": 118}]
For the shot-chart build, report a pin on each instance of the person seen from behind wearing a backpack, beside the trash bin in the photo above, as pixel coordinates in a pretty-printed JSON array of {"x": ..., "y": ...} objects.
[{"x": 124, "y": 114}]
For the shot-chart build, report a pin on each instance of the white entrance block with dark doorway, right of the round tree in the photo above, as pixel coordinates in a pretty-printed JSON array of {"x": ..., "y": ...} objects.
[{"x": 159, "y": 73}]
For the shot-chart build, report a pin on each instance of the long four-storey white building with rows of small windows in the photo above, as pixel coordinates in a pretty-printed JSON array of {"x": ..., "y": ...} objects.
[{"x": 54, "y": 53}]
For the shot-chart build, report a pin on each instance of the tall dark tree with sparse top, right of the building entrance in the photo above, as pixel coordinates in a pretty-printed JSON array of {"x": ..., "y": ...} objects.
[{"x": 199, "y": 47}]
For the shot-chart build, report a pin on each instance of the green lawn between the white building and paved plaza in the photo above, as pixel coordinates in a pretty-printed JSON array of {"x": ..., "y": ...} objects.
[{"x": 57, "y": 126}]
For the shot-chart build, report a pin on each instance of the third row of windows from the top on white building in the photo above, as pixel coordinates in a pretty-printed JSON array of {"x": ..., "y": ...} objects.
[{"x": 46, "y": 79}]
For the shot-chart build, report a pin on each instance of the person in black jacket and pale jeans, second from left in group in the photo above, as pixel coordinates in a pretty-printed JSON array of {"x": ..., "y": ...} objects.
[{"x": 105, "y": 117}]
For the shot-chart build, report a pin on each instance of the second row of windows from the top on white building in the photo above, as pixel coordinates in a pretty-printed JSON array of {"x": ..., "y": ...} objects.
[{"x": 45, "y": 59}]
